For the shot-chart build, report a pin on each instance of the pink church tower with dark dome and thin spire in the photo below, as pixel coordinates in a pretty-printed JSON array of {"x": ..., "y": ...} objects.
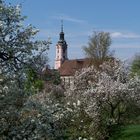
[{"x": 61, "y": 49}]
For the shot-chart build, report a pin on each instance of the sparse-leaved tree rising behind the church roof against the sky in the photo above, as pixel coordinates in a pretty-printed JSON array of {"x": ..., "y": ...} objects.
[{"x": 98, "y": 47}]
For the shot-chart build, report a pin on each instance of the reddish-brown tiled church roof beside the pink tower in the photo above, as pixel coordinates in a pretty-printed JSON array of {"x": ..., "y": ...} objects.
[{"x": 69, "y": 67}]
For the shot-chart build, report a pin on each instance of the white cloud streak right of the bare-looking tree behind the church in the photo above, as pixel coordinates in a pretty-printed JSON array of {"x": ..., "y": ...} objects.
[{"x": 125, "y": 35}]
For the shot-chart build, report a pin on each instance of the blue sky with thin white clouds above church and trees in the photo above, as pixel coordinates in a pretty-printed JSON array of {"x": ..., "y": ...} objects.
[{"x": 81, "y": 18}]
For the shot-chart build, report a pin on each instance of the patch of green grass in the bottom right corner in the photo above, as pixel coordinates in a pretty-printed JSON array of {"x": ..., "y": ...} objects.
[{"x": 130, "y": 132}]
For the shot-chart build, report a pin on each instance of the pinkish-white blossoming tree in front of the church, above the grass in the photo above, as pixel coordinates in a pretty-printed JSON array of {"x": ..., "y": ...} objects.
[{"x": 108, "y": 96}]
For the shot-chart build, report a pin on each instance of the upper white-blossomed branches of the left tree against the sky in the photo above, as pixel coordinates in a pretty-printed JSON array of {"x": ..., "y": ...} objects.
[{"x": 17, "y": 45}]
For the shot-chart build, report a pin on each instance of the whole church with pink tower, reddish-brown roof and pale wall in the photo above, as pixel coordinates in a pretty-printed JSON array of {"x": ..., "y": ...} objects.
[{"x": 66, "y": 67}]
